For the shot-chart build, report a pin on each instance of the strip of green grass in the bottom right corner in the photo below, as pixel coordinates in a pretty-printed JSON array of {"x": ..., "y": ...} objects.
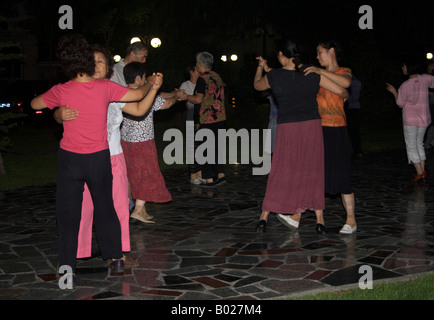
[{"x": 419, "y": 288}]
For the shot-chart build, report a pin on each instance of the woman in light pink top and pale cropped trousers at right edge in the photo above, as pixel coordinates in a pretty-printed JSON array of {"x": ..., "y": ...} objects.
[{"x": 413, "y": 98}]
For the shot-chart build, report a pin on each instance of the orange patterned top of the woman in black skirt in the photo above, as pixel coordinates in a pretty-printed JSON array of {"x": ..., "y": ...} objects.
[{"x": 331, "y": 106}]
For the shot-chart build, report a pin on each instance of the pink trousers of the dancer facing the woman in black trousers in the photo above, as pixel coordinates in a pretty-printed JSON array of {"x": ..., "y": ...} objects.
[{"x": 121, "y": 204}]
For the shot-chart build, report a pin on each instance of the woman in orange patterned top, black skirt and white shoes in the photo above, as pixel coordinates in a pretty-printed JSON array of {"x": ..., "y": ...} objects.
[{"x": 336, "y": 144}]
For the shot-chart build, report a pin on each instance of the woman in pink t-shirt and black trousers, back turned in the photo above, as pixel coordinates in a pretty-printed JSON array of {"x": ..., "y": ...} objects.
[{"x": 84, "y": 155}]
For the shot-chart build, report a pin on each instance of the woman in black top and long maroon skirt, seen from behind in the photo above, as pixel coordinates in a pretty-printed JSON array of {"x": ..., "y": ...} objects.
[{"x": 296, "y": 179}]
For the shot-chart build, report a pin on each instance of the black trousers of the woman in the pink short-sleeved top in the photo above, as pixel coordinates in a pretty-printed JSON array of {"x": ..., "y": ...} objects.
[{"x": 73, "y": 171}]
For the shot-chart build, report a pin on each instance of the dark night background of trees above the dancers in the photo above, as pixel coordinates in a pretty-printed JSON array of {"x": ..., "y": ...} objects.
[{"x": 249, "y": 28}]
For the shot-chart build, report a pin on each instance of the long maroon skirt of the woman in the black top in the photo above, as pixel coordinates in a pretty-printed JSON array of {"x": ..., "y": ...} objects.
[{"x": 296, "y": 179}]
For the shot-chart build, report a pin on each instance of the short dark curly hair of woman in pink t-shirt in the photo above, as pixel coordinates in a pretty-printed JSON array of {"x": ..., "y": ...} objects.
[{"x": 75, "y": 56}]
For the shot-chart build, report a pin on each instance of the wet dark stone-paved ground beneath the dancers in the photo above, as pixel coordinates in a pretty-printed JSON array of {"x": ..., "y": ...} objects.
[{"x": 203, "y": 245}]
